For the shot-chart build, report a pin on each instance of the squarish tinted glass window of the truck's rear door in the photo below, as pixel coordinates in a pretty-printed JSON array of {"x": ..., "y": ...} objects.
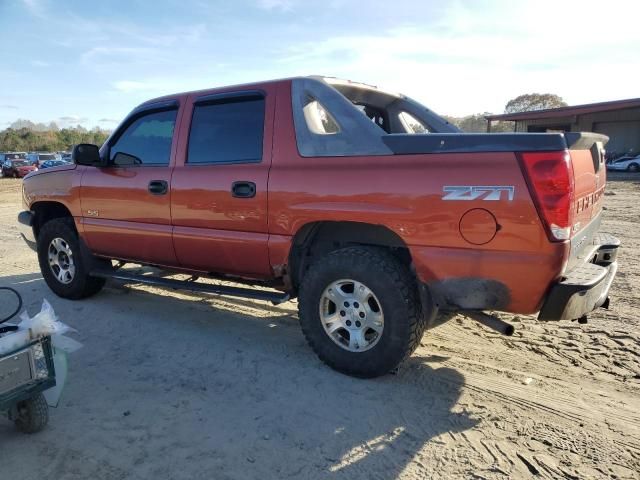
[{"x": 228, "y": 131}]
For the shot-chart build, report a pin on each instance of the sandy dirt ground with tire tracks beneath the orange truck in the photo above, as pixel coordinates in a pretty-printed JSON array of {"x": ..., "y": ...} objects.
[{"x": 185, "y": 386}]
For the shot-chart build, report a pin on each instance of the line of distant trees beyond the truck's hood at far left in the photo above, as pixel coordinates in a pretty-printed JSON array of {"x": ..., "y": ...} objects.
[{"x": 26, "y": 136}]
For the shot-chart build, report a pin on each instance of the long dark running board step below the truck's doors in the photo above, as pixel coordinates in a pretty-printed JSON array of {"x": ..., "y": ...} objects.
[{"x": 269, "y": 296}]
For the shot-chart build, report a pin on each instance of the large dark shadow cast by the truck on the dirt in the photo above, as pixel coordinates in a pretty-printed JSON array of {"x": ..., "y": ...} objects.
[{"x": 163, "y": 379}]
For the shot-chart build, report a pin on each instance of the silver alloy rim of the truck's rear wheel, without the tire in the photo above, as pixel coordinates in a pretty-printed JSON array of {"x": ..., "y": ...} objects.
[{"x": 351, "y": 315}]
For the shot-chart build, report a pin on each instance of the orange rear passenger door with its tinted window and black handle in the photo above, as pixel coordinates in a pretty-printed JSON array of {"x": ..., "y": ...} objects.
[{"x": 219, "y": 184}]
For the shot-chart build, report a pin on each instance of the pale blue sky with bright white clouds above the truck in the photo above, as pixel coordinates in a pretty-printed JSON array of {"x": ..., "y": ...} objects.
[{"x": 90, "y": 63}]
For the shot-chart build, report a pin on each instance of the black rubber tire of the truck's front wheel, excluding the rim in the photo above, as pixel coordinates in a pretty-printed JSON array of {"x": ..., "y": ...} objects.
[{"x": 83, "y": 285}]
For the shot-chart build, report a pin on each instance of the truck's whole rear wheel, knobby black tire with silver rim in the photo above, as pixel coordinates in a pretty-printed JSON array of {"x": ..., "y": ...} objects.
[{"x": 360, "y": 311}]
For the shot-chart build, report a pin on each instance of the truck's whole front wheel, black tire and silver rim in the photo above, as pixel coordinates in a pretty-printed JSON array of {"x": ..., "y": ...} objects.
[{"x": 63, "y": 266}]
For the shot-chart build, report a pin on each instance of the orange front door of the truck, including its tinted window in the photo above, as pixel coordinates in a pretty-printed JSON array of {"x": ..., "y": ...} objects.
[{"x": 126, "y": 204}]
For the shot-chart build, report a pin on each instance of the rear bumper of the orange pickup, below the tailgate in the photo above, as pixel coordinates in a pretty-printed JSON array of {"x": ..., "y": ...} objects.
[{"x": 586, "y": 286}]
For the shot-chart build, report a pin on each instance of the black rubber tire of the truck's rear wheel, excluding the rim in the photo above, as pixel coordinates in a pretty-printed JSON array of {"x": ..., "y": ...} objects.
[{"x": 396, "y": 290}]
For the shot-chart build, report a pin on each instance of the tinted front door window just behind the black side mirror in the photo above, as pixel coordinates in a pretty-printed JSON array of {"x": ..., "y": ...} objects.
[{"x": 146, "y": 141}]
